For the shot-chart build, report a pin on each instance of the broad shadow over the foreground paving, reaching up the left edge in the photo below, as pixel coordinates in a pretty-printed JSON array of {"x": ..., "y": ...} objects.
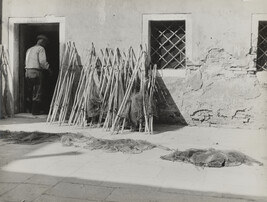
[{"x": 16, "y": 186}]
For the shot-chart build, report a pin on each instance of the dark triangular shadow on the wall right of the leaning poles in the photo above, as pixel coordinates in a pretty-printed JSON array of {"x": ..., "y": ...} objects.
[{"x": 168, "y": 112}]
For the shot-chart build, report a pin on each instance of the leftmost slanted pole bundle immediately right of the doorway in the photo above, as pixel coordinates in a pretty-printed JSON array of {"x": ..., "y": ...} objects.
[{"x": 62, "y": 99}]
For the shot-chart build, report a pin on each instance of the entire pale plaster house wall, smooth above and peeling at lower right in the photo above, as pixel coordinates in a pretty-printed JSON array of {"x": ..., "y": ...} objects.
[{"x": 217, "y": 90}]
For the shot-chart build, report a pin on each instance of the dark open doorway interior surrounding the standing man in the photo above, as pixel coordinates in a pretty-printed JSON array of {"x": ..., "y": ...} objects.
[{"x": 27, "y": 38}]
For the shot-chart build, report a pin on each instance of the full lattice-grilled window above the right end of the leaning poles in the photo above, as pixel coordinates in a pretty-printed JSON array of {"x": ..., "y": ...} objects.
[{"x": 167, "y": 44}]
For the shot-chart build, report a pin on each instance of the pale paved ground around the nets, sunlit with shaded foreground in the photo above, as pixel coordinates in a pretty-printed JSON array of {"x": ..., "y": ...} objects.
[{"x": 51, "y": 172}]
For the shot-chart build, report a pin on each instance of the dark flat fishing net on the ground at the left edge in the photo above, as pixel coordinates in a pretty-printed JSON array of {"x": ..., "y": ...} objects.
[{"x": 22, "y": 137}]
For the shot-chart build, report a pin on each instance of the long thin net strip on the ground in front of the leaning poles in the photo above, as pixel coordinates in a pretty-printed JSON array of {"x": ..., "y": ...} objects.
[{"x": 119, "y": 145}]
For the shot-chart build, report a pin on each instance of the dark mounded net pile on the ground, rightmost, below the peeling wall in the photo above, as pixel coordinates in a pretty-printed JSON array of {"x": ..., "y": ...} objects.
[{"x": 211, "y": 158}]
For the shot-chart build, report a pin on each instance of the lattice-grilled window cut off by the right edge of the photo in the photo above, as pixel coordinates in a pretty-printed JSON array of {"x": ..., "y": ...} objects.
[{"x": 262, "y": 46}]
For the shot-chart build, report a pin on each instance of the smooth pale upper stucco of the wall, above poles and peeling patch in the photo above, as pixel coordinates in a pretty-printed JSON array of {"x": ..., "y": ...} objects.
[{"x": 118, "y": 23}]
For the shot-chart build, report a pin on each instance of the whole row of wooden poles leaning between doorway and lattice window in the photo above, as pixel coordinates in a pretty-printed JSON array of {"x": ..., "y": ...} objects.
[{"x": 109, "y": 84}]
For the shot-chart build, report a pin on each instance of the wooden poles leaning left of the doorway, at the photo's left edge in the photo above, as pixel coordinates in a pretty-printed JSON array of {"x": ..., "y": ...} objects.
[{"x": 6, "y": 97}]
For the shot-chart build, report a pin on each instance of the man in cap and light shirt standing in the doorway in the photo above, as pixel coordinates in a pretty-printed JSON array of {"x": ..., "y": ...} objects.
[{"x": 36, "y": 63}]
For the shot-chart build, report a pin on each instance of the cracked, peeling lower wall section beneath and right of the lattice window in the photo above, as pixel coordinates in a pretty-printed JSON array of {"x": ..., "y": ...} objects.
[{"x": 220, "y": 92}]
